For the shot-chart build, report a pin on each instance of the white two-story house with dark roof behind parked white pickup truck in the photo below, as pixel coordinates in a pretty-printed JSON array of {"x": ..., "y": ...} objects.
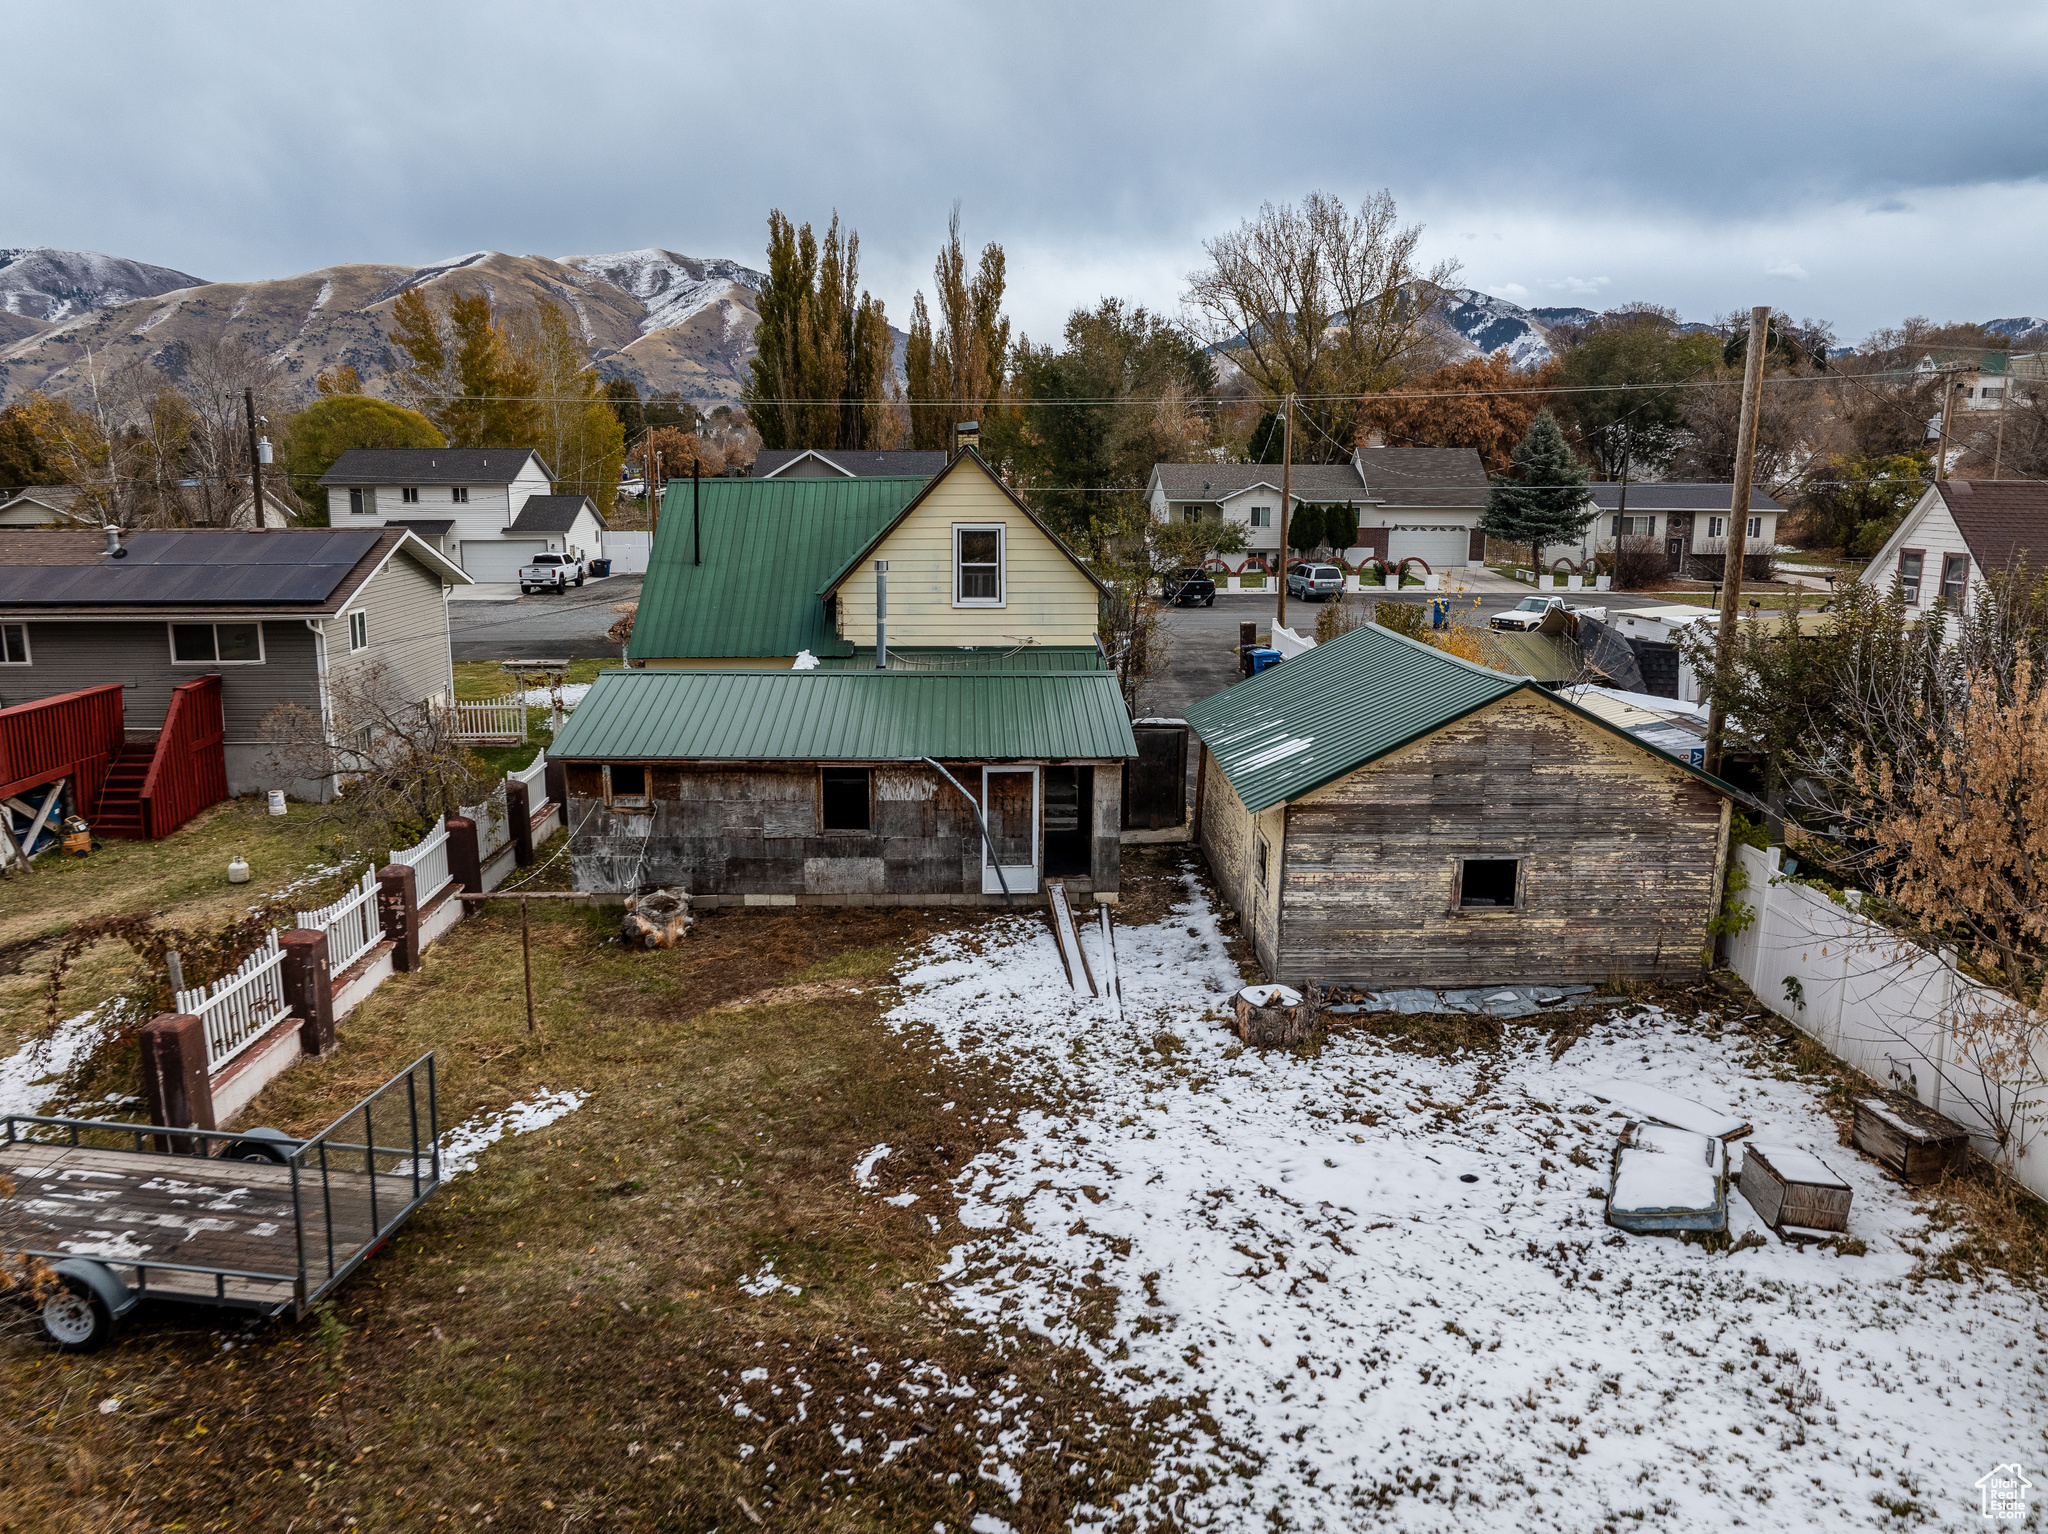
[{"x": 466, "y": 503}]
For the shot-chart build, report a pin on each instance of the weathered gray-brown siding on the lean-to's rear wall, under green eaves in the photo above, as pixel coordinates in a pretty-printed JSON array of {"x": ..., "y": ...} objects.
[{"x": 734, "y": 835}]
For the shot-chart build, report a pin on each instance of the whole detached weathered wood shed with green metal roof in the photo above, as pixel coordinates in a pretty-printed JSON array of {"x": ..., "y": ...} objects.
[{"x": 1383, "y": 814}]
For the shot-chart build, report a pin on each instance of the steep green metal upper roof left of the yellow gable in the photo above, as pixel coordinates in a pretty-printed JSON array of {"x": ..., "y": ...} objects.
[{"x": 767, "y": 548}]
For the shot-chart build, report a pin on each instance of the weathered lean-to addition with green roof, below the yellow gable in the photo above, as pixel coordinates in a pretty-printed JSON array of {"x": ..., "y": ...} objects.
[{"x": 847, "y": 787}]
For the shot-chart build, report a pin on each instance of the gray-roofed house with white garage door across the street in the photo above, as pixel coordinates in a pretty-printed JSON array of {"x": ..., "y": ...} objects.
[{"x": 1414, "y": 503}]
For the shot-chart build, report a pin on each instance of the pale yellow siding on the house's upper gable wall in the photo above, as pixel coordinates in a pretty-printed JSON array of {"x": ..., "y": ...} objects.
[{"x": 1046, "y": 597}]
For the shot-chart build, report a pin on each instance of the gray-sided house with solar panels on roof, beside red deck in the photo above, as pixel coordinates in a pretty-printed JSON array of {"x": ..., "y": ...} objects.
[{"x": 280, "y": 617}]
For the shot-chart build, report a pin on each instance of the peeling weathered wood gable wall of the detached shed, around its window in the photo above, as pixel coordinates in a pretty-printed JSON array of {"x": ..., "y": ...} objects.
[{"x": 1621, "y": 859}]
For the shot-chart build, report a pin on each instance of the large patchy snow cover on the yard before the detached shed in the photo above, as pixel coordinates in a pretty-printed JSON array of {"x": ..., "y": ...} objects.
[{"x": 1385, "y": 1295}]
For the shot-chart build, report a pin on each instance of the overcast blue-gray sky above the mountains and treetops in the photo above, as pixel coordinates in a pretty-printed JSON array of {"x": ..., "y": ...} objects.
[{"x": 1854, "y": 163}]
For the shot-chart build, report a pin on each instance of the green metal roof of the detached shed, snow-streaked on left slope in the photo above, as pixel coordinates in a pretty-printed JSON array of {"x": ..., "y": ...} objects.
[{"x": 1338, "y": 708}]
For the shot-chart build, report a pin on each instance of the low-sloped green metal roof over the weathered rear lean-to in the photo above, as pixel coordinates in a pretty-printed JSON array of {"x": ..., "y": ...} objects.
[{"x": 822, "y": 716}]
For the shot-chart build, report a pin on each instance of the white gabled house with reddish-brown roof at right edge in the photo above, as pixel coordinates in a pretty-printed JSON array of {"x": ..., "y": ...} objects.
[{"x": 1959, "y": 534}]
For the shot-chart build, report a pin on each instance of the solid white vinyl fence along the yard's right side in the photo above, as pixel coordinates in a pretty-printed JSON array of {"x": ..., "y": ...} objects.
[{"x": 1887, "y": 1009}]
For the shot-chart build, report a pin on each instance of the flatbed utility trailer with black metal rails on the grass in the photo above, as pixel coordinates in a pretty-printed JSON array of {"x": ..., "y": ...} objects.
[{"x": 245, "y": 1222}]
